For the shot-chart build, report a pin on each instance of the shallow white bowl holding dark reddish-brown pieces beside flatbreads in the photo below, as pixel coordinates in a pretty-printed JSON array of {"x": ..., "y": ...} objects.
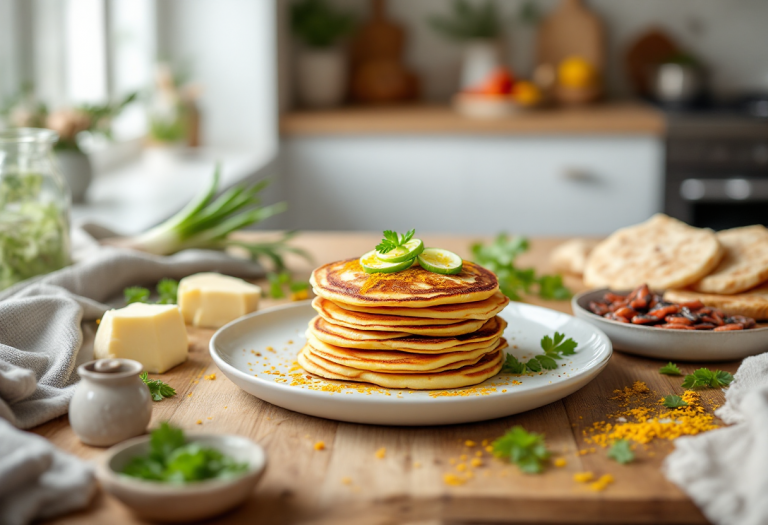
[{"x": 675, "y": 345}]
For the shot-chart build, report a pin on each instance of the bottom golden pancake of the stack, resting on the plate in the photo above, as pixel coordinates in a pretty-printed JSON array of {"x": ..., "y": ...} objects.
[{"x": 487, "y": 367}]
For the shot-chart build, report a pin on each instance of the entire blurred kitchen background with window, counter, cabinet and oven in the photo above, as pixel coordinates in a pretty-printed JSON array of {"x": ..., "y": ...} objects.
[{"x": 539, "y": 117}]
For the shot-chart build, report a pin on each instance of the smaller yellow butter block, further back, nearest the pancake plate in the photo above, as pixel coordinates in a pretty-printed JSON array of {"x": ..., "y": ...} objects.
[{"x": 211, "y": 300}]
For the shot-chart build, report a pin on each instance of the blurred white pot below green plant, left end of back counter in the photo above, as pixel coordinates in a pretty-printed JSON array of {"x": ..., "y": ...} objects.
[{"x": 321, "y": 77}]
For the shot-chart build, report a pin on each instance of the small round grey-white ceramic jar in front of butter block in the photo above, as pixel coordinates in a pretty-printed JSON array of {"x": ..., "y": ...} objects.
[{"x": 111, "y": 403}]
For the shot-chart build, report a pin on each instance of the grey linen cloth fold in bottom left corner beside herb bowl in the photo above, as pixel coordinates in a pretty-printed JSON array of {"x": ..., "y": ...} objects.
[{"x": 37, "y": 480}]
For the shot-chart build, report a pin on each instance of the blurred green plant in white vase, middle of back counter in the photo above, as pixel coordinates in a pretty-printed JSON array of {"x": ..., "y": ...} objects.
[{"x": 476, "y": 26}]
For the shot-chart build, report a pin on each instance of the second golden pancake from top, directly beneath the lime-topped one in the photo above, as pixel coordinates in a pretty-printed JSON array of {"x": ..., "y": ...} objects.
[{"x": 476, "y": 310}]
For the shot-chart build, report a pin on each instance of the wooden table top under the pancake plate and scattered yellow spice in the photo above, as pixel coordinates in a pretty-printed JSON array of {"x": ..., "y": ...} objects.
[{"x": 303, "y": 485}]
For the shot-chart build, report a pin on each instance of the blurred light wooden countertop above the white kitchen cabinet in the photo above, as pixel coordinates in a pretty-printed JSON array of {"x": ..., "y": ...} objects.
[{"x": 623, "y": 118}]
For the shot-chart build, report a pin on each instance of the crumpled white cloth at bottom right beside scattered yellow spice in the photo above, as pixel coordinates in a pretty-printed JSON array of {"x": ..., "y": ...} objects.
[{"x": 725, "y": 471}]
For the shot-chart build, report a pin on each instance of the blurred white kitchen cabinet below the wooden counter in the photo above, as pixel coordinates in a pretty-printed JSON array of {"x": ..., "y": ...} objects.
[{"x": 540, "y": 185}]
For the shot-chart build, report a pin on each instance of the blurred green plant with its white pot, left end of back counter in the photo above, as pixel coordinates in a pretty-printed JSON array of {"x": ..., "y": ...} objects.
[{"x": 321, "y": 71}]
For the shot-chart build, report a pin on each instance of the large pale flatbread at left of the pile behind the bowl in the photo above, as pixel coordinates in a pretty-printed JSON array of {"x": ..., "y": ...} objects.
[{"x": 662, "y": 252}]
